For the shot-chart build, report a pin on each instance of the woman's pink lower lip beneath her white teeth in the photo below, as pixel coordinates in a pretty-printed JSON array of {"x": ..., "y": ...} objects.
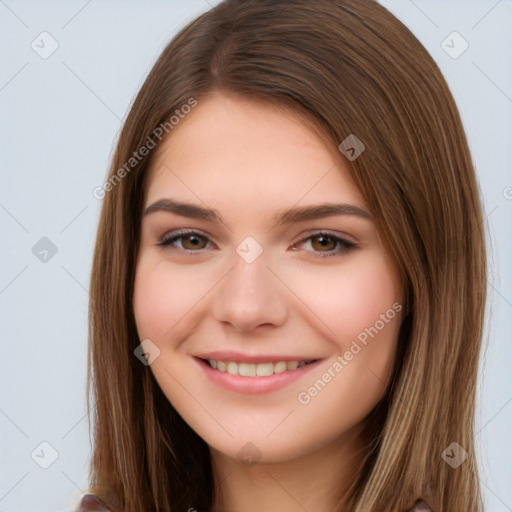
[{"x": 255, "y": 385}]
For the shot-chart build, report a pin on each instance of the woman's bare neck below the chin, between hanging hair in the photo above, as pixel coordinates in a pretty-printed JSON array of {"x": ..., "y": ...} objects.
[{"x": 316, "y": 481}]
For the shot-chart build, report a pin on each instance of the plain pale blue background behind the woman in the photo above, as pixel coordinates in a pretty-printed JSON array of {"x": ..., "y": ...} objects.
[{"x": 60, "y": 118}]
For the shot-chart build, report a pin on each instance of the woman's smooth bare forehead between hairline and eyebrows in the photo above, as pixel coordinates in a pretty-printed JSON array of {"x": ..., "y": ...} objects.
[{"x": 233, "y": 148}]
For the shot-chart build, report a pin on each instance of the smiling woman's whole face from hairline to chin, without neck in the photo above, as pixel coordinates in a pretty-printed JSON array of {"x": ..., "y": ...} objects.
[{"x": 280, "y": 264}]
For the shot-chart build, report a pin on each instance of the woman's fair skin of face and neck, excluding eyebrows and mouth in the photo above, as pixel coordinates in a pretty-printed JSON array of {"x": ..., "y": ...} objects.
[{"x": 249, "y": 160}]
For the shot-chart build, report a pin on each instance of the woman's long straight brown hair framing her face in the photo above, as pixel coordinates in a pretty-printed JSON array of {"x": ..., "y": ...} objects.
[{"x": 351, "y": 68}]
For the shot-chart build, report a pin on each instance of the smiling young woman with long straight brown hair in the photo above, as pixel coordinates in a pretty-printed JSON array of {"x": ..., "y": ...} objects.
[{"x": 289, "y": 279}]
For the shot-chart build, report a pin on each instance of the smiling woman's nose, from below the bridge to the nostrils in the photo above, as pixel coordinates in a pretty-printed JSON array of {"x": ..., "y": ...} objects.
[{"x": 250, "y": 295}]
